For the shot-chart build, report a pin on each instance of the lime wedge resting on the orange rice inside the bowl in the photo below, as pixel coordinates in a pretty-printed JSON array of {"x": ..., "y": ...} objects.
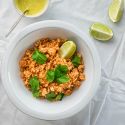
[{"x": 67, "y": 49}]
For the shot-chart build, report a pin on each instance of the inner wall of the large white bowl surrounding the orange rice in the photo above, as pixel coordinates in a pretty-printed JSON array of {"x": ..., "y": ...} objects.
[{"x": 42, "y": 108}]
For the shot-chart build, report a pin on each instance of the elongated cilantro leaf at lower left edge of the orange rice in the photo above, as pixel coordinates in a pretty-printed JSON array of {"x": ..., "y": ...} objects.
[{"x": 35, "y": 84}]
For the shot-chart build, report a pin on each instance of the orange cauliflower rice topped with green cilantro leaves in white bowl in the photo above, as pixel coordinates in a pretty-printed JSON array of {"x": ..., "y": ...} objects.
[{"x": 46, "y": 74}]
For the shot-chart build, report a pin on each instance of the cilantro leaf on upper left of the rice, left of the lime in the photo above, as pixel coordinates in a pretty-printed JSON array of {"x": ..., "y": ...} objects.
[{"x": 39, "y": 57}]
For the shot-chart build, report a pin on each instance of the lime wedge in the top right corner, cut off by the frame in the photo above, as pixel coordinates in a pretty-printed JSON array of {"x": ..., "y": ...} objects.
[{"x": 116, "y": 10}]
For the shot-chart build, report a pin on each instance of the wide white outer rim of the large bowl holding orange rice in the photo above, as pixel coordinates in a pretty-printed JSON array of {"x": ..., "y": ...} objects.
[{"x": 36, "y": 26}]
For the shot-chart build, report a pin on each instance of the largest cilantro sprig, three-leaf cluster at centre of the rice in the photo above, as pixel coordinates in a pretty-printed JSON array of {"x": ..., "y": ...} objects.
[{"x": 59, "y": 74}]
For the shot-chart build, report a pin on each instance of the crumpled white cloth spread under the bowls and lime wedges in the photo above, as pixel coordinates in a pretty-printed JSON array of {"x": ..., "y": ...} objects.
[{"x": 108, "y": 105}]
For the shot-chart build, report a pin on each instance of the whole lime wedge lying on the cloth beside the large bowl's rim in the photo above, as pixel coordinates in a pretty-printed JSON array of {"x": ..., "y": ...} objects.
[{"x": 101, "y": 32}]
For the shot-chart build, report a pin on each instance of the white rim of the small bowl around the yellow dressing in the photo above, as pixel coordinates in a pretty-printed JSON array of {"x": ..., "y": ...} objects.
[{"x": 35, "y": 15}]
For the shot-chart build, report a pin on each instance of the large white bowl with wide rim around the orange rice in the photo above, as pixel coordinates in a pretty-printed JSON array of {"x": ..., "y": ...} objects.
[{"x": 22, "y": 98}]
